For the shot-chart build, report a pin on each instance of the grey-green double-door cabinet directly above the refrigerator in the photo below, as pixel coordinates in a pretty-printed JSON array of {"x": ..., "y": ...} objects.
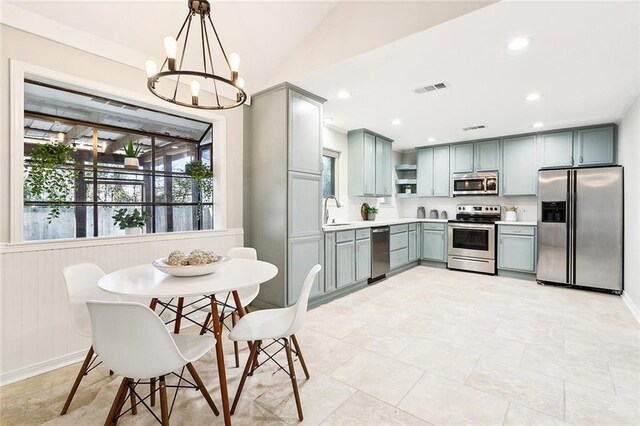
[{"x": 593, "y": 146}]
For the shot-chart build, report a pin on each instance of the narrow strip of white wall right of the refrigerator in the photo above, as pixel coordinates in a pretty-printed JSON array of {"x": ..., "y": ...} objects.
[{"x": 629, "y": 157}]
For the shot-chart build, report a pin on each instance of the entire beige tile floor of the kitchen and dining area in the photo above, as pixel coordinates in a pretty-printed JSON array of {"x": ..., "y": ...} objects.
[{"x": 428, "y": 346}]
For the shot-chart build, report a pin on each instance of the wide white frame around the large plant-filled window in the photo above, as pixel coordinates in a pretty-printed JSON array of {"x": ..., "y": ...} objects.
[{"x": 21, "y": 72}]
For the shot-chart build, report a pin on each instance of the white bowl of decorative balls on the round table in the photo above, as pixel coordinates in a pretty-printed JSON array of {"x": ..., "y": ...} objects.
[{"x": 198, "y": 262}]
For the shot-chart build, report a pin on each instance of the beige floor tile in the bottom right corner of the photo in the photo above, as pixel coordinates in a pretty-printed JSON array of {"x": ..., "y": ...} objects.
[{"x": 589, "y": 407}]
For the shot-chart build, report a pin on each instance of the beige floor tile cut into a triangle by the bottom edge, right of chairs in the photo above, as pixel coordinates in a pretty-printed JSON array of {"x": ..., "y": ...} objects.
[{"x": 364, "y": 410}]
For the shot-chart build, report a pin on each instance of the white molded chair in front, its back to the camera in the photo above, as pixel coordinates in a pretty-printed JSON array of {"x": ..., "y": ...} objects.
[{"x": 134, "y": 342}]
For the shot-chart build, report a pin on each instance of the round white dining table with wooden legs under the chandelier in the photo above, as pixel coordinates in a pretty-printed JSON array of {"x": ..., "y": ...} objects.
[{"x": 235, "y": 274}]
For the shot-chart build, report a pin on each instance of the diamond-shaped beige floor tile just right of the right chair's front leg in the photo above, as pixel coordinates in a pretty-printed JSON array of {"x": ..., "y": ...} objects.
[{"x": 386, "y": 379}]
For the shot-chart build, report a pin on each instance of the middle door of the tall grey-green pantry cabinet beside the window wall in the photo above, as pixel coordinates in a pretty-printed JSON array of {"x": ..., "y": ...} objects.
[{"x": 305, "y": 205}]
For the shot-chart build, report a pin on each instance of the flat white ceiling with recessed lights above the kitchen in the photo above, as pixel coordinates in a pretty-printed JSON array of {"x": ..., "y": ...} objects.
[{"x": 582, "y": 59}]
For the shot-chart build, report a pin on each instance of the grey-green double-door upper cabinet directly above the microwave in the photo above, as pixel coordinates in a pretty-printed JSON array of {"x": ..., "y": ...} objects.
[{"x": 472, "y": 157}]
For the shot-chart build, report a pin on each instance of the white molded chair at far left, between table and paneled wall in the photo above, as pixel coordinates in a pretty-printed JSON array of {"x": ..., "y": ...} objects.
[{"x": 82, "y": 285}]
